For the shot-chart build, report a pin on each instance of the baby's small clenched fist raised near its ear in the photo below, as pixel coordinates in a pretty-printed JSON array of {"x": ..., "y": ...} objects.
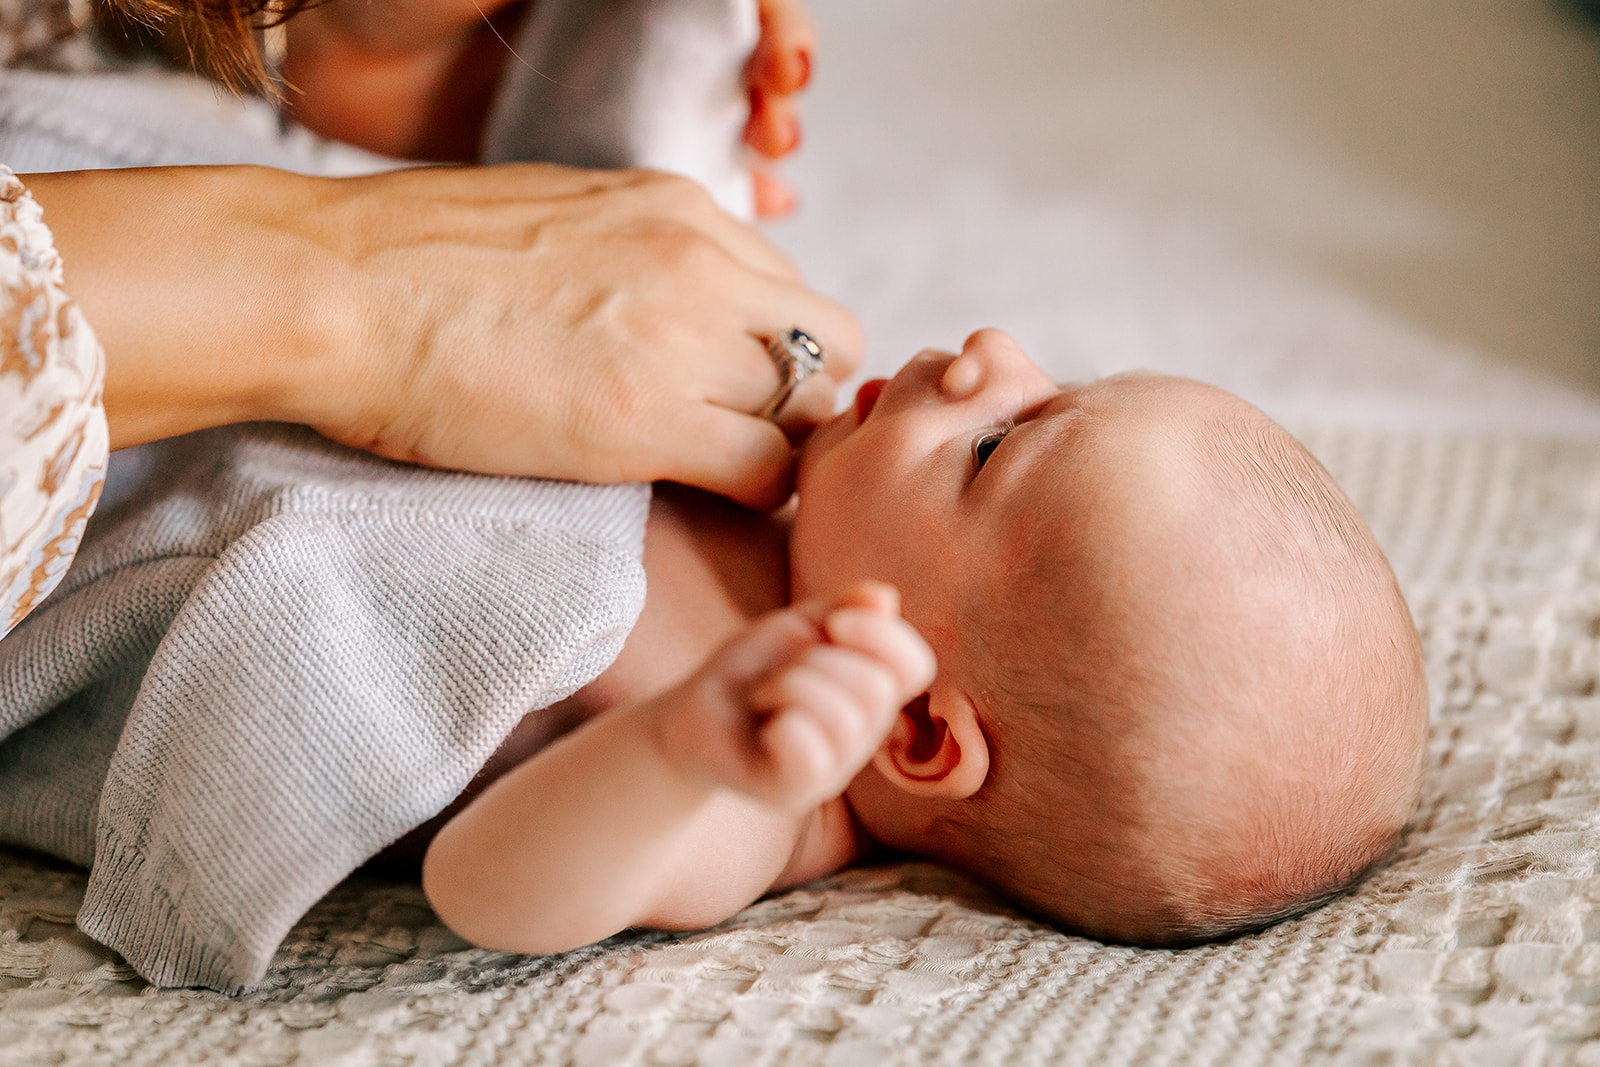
[{"x": 790, "y": 711}]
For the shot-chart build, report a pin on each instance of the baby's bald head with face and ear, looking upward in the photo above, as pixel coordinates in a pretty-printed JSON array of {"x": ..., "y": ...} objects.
[{"x": 1180, "y": 693}]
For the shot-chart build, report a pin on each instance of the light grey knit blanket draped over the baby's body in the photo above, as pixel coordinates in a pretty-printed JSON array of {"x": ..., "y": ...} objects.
[{"x": 273, "y": 658}]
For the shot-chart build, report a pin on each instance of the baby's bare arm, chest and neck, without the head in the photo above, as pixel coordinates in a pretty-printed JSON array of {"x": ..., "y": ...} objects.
[{"x": 678, "y": 810}]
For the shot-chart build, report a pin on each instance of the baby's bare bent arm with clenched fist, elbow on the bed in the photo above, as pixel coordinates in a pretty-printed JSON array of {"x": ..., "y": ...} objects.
[{"x": 681, "y": 810}]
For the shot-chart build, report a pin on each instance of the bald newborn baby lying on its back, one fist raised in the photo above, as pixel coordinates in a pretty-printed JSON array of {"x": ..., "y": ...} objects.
[{"x": 1122, "y": 650}]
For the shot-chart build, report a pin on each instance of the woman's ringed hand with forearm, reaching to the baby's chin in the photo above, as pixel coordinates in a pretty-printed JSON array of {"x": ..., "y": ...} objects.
[{"x": 526, "y": 321}]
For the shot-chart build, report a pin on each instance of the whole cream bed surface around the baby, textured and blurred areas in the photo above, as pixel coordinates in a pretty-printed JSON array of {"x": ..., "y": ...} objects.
[{"x": 1378, "y": 222}]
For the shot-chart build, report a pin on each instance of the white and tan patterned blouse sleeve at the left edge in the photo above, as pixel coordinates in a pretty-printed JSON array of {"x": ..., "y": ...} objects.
[{"x": 54, "y": 441}]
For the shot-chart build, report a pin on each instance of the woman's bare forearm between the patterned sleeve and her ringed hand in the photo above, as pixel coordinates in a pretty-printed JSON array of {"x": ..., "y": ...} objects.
[{"x": 210, "y": 300}]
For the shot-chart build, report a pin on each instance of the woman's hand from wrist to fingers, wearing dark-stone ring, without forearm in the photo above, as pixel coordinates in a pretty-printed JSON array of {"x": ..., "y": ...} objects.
[{"x": 537, "y": 321}]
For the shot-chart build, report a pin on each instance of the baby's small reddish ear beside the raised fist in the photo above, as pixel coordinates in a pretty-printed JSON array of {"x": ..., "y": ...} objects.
[{"x": 937, "y": 748}]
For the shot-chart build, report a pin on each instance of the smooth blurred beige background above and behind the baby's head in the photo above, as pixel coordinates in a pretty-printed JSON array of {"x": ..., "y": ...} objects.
[{"x": 1370, "y": 212}]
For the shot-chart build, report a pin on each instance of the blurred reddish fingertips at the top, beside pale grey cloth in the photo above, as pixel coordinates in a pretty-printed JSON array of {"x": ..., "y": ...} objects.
[{"x": 777, "y": 73}]
